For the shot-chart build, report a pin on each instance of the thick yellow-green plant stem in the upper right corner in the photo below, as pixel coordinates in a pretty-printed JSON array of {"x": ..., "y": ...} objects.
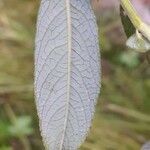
[{"x": 135, "y": 19}]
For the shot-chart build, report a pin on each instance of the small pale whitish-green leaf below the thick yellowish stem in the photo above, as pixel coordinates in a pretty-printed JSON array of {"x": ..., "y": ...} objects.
[{"x": 140, "y": 44}]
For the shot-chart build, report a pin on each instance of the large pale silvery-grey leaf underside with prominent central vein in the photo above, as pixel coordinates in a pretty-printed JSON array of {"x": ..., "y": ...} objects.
[{"x": 67, "y": 72}]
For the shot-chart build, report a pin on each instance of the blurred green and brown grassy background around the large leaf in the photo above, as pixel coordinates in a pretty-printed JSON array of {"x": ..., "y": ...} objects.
[{"x": 122, "y": 118}]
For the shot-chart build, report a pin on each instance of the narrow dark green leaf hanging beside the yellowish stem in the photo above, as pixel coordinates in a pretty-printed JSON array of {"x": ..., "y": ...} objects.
[{"x": 129, "y": 29}]
